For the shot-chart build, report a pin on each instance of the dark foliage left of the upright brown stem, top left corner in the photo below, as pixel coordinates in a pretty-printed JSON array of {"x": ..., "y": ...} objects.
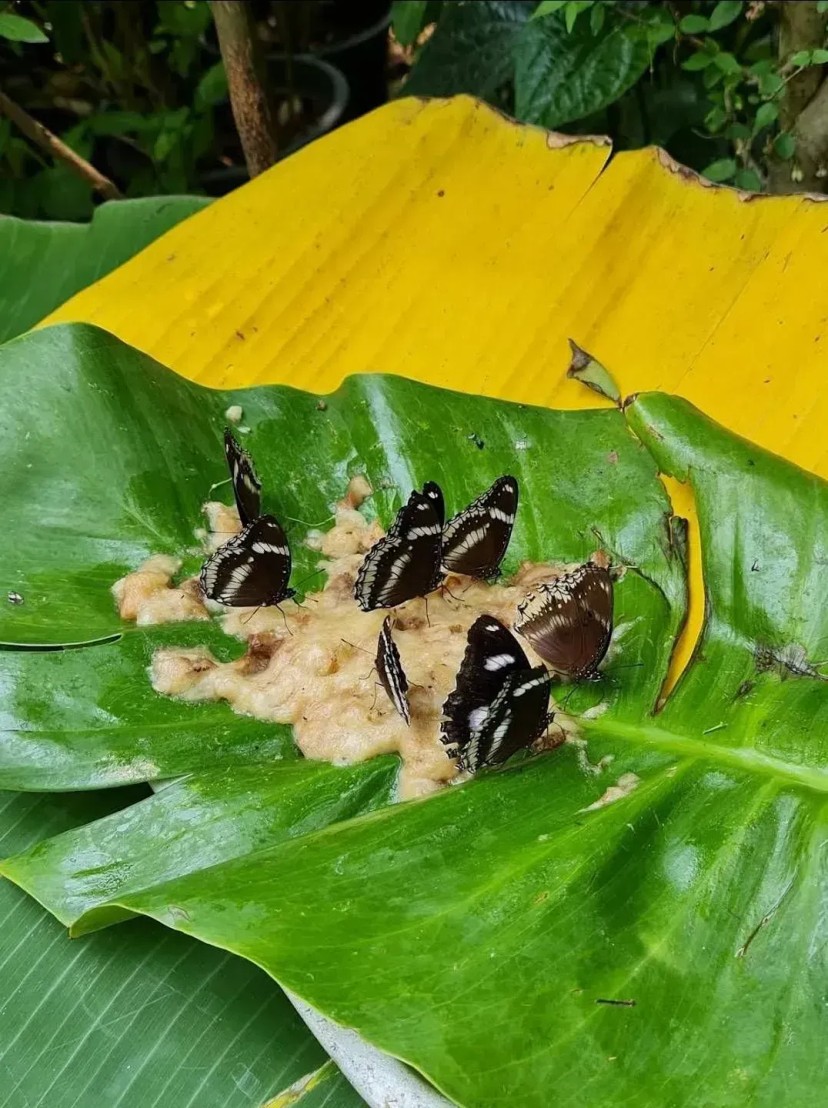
[{"x": 128, "y": 86}]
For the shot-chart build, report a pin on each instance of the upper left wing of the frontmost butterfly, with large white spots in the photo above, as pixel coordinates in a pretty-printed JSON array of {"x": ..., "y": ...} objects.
[{"x": 493, "y": 654}]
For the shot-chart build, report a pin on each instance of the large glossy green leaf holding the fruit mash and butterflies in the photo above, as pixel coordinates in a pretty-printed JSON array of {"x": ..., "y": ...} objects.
[{"x": 636, "y": 918}]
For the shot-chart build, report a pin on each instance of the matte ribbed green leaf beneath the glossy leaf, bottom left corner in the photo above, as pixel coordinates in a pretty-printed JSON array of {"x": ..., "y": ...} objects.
[{"x": 139, "y": 1015}]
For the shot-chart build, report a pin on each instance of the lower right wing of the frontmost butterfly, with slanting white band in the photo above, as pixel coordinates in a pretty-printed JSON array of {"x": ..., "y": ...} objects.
[{"x": 517, "y": 717}]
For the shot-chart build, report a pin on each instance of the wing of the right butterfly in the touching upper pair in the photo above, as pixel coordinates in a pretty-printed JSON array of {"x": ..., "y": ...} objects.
[{"x": 476, "y": 540}]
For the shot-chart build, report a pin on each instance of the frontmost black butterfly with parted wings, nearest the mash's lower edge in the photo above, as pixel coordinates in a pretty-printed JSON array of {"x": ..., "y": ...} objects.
[{"x": 499, "y": 704}]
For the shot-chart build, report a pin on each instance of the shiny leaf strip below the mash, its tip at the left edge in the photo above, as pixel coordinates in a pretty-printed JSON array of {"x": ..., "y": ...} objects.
[{"x": 250, "y": 809}]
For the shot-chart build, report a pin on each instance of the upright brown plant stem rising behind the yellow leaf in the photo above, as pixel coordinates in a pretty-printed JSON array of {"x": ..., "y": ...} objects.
[{"x": 249, "y": 95}]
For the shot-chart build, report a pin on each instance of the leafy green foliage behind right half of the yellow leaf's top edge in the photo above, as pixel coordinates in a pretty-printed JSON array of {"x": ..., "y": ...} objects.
[{"x": 712, "y": 83}]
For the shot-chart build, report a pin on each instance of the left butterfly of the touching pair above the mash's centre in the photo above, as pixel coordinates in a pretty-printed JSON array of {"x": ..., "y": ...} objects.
[{"x": 406, "y": 562}]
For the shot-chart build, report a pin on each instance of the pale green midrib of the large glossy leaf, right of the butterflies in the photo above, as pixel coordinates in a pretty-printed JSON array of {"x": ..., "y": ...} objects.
[{"x": 744, "y": 758}]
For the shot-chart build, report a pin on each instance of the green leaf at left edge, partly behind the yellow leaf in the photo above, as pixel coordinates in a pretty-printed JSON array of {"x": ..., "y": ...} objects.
[{"x": 44, "y": 264}]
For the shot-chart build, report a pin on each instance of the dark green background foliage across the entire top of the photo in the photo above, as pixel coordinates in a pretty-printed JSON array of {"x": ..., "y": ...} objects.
[{"x": 737, "y": 90}]
